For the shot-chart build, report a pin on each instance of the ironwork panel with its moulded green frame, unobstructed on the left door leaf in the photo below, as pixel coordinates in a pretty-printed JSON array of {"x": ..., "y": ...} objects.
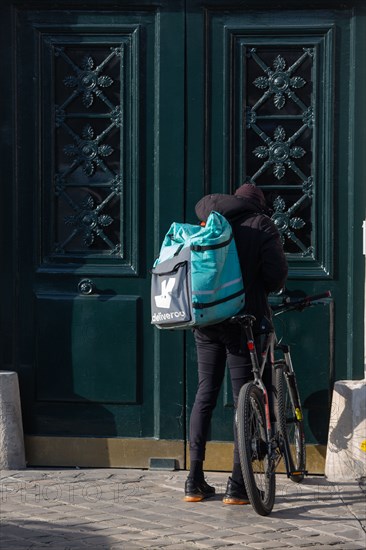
[{"x": 90, "y": 117}]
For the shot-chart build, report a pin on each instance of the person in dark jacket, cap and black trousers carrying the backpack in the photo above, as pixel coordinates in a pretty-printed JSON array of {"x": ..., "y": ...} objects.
[{"x": 264, "y": 269}]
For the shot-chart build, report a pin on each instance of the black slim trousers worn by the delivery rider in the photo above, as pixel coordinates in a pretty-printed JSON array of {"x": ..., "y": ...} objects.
[{"x": 217, "y": 346}]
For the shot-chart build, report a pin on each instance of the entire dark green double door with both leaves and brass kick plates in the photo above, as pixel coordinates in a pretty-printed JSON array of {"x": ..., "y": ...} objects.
[{"x": 117, "y": 118}]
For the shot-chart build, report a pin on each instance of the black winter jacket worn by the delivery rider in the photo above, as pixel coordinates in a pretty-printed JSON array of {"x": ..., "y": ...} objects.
[{"x": 262, "y": 259}]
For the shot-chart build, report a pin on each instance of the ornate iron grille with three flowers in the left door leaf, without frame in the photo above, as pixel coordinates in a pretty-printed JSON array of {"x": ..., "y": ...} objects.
[{"x": 88, "y": 137}]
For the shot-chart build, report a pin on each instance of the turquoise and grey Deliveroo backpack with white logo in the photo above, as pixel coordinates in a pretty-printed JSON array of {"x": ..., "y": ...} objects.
[{"x": 196, "y": 280}]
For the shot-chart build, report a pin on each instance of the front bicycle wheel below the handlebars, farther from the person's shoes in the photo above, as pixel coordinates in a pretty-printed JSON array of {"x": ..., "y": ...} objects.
[{"x": 290, "y": 422}]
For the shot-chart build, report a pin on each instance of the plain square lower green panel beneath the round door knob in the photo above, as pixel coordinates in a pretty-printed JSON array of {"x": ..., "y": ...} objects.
[{"x": 87, "y": 346}]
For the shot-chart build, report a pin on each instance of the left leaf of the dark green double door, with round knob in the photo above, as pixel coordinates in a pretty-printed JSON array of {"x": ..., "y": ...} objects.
[{"x": 93, "y": 169}]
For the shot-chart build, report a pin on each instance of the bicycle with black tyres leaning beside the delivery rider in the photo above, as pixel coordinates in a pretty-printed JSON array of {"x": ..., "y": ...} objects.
[{"x": 269, "y": 421}]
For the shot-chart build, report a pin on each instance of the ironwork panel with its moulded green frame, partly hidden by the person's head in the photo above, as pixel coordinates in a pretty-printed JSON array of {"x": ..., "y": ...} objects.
[{"x": 283, "y": 111}]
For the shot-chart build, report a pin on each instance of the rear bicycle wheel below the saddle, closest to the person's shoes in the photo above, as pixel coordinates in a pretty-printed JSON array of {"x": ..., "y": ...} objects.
[{"x": 256, "y": 464}]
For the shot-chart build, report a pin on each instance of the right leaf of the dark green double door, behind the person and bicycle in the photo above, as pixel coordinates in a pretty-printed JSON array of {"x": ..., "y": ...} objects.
[{"x": 274, "y": 97}]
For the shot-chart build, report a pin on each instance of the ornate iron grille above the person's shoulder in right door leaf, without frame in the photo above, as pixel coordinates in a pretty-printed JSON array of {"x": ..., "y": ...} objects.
[{"x": 279, "y": 142}]
